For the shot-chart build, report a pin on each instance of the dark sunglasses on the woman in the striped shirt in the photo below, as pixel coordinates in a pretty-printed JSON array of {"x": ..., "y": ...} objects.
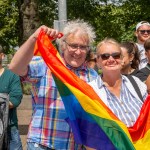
[{"x": 106, "y": 56}]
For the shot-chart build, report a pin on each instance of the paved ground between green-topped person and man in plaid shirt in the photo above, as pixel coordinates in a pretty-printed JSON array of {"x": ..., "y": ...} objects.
[{"x": 24, "y": 112}]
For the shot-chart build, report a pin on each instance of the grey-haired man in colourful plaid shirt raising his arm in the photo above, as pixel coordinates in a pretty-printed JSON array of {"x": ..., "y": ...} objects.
[{"x": 48, "y": 128}]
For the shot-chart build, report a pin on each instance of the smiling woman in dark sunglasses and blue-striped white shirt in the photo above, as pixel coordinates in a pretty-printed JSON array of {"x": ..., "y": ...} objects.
[{"x": 115, "y": 89}]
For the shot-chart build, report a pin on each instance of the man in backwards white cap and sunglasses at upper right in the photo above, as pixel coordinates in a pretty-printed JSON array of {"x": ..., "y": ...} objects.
[{"x": 142, "y": 33}]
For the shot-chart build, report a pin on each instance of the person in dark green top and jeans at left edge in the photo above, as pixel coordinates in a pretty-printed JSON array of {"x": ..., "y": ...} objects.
[{"x": 10, "y": 84}]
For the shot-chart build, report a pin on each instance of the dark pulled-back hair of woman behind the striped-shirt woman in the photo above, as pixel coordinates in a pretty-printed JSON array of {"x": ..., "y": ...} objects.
[{"x": 132, "y": 49}]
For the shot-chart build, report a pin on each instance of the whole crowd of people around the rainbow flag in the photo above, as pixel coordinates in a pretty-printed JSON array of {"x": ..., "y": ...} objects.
[{"x": 48, "y": 129}]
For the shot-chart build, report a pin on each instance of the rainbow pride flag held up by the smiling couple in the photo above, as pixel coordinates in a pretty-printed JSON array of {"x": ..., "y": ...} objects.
[{"x": 92, "y": 122}]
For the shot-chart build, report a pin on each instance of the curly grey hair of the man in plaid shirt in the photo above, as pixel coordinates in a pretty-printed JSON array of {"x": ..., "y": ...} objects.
[{"x": 78, "y": 25}]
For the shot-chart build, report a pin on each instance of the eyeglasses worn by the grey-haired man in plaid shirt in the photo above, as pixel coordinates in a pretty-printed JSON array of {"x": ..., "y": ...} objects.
[{"x": 74, "y": 47}]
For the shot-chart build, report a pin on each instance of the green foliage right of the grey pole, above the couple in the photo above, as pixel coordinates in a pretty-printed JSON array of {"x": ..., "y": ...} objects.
[{"x": 115, "y": 19}]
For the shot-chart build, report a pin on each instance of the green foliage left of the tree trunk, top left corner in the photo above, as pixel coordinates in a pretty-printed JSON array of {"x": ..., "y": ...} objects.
[{"x": 8, "y": 24}]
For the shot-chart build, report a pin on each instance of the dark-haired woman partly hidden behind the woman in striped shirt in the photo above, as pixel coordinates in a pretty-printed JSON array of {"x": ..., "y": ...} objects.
[{"x": 131, "y": 60}]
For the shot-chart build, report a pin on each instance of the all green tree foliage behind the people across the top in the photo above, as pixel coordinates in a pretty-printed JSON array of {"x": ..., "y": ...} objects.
[{"x": 110, "y": 18}]
